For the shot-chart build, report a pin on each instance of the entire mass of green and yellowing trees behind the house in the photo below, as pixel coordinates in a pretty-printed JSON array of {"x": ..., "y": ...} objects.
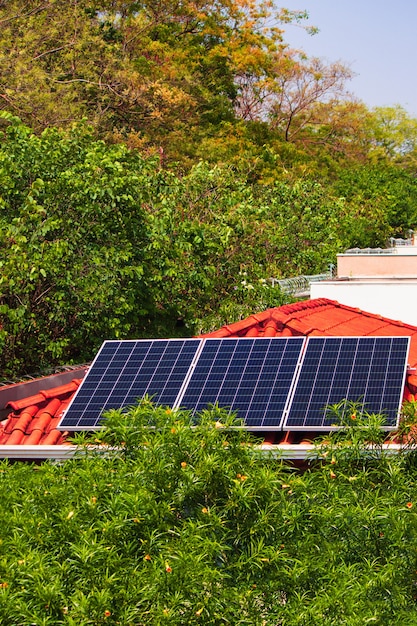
[{"x": 161, "y": 162}]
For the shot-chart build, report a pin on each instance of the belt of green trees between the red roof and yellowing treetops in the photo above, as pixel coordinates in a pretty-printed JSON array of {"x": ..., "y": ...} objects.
[{"x": 98, "y": 241}]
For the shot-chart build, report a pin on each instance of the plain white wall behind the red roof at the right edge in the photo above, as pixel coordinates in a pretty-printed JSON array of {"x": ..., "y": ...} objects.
[{"x": 396, "y": 300}]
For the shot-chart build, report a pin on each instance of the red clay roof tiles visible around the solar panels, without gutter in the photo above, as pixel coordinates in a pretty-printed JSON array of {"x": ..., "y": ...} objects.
[{"x": 33, "y": 419}]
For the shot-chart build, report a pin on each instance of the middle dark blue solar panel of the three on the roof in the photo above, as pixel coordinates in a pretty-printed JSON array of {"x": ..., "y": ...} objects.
[{"x": 250, "y": 376}]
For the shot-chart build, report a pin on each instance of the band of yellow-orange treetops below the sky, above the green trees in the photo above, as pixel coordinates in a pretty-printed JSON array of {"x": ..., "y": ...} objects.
[{"x": 190, "y": 80}]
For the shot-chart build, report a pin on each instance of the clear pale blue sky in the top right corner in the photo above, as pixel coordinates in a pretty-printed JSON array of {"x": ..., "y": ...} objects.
[{"x": 377, "y": 39}]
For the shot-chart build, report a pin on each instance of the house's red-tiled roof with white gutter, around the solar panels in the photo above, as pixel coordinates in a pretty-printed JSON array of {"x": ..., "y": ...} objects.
[{"x": 31, "y": 411}]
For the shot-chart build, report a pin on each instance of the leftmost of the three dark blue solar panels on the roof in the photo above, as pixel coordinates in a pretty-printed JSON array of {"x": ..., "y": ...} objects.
[{"x": 123, "y": 372}]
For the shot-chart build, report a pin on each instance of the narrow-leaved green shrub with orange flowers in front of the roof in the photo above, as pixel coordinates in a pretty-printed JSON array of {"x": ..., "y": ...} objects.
[{"x": 181, "y": 525}]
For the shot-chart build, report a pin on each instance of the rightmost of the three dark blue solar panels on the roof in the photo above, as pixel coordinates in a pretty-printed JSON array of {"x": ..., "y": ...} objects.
[{"x": 368, "y": 370}]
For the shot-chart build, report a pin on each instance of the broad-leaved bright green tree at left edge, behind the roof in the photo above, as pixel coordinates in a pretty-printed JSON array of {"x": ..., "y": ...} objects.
[{"x": 73, "y": 235}]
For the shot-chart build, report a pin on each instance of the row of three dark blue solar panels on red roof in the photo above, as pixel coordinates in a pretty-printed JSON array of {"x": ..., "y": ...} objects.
[{"x": 271, "y": 383}]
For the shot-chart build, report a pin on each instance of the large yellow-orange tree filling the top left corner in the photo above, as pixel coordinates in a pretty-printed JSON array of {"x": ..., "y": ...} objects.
[{"x": 155, "y": 74}]
